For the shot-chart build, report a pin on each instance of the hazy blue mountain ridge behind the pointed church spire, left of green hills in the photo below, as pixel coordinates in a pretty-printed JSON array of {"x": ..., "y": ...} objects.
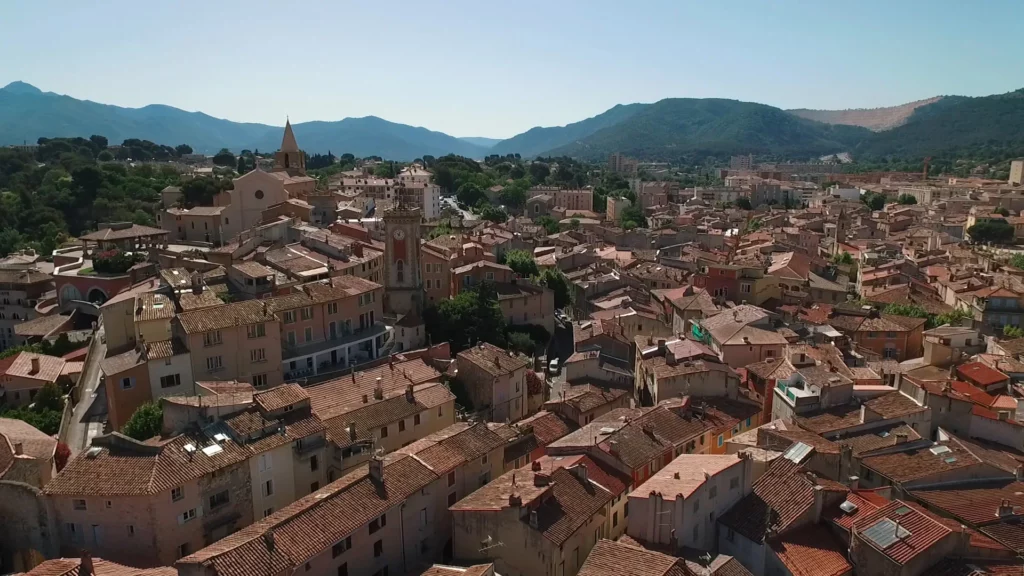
[{"x": 27, "y": 114}]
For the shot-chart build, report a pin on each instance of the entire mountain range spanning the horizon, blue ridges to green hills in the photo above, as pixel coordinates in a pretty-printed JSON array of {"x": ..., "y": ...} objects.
[{"x": 666, "y": 131}]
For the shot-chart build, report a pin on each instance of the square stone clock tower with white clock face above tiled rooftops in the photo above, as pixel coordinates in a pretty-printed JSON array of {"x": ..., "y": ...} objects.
[{"x": 403, "y": 281}]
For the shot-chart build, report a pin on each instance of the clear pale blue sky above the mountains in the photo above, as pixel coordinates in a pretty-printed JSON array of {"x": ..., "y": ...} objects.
[{"x": 496, "y": 69}]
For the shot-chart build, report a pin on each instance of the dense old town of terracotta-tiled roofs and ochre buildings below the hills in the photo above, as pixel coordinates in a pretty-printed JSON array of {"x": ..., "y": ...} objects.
[{"x": 789, "y": 371}]
